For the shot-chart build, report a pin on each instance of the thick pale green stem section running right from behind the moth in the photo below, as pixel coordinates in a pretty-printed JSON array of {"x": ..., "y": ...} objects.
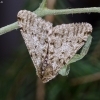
[{"x": 44, "y": 12}]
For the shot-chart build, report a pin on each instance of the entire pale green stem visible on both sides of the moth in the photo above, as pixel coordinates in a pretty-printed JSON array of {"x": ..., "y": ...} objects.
[{"x": 44, "y": 11}]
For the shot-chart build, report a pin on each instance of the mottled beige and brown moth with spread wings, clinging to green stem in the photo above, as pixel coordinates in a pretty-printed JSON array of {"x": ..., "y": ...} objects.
[{"x": 51, "y": 47}]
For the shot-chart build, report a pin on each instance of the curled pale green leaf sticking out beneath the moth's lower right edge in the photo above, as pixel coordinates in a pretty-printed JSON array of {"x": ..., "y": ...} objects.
[{"x": 65, "y": 70}]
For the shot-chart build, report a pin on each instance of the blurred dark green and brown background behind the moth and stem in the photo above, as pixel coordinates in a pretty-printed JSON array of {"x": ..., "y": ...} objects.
[{"x": 18, "y": 80}]
